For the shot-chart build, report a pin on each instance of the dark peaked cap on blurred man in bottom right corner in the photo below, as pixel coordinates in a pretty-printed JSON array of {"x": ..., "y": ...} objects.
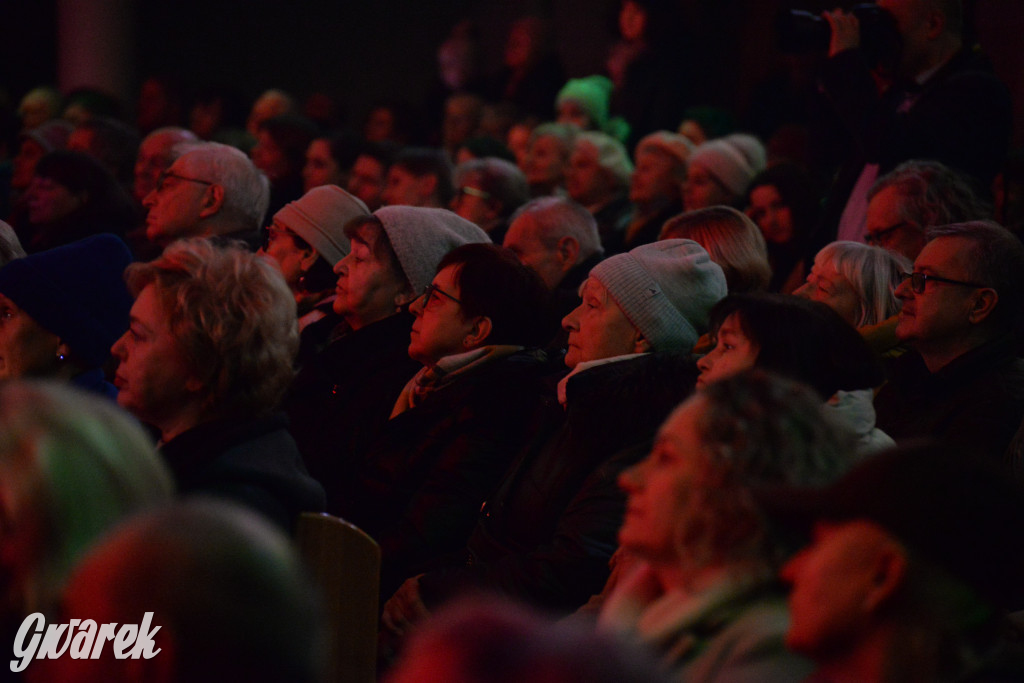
[{"x": 951, "y": 507}]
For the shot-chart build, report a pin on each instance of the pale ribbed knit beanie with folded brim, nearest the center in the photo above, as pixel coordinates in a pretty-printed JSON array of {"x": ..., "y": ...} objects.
[{"x": 666, "y": 289}]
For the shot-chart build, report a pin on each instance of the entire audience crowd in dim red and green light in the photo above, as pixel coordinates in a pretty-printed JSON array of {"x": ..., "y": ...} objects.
[{"x": 622, "y": 390}]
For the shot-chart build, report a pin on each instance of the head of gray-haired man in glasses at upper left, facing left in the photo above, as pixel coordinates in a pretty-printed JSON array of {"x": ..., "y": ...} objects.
[{"x": 211, "y": 191}]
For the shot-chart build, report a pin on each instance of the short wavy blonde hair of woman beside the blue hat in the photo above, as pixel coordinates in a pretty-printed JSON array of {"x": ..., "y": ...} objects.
[{"x": 234, "y": 318}]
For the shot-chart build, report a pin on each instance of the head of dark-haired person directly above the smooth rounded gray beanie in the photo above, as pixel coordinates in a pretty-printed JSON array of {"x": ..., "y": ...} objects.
[{"x": 419, "y": 178}]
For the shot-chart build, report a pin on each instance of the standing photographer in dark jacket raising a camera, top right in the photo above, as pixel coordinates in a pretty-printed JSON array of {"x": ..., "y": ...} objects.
[{"x": 933, "y": 98}]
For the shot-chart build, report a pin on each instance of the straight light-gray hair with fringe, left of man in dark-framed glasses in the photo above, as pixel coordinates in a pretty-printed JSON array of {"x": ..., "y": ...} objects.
[{"x": 873, "y": 272}]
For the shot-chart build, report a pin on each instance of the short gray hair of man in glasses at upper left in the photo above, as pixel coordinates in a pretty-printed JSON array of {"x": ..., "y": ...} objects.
[{"x": 247, "y": 192}]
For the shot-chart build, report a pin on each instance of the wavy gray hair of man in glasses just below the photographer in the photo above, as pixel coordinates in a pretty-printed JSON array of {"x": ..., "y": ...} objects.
[{"x": 933, "y": 194}]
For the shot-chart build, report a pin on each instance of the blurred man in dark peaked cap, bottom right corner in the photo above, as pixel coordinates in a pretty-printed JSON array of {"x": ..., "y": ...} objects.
[{"x": 915, "y": 554}]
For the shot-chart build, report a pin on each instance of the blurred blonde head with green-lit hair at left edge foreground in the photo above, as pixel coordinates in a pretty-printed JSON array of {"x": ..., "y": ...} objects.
[{"x": 71, "y": 468}]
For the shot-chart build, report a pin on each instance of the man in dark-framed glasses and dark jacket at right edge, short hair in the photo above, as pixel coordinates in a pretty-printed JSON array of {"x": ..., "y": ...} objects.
[{"x": 962, "y": 382}]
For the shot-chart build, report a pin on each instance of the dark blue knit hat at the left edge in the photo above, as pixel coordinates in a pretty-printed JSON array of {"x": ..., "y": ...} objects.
[{"x": 76, "y": 292}]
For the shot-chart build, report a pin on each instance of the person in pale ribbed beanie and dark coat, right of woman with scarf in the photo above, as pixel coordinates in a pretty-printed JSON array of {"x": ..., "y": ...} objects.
[{"x": 547, "y": 533}]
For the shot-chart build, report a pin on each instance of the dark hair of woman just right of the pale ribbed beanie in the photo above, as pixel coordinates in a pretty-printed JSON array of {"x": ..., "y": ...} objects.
[{"x": 804, "y": 340}]
